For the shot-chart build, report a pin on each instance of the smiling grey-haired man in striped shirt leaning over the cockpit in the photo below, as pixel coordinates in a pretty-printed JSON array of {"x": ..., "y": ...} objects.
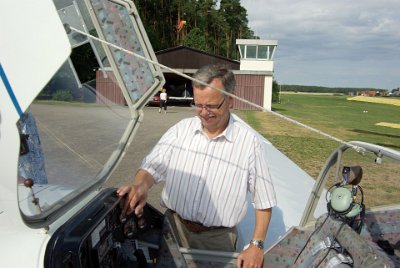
[{"x": 208, "y": 163}]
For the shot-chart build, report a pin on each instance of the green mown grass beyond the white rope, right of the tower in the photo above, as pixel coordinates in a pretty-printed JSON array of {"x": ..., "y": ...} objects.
[{"x": 348, "y": 120}]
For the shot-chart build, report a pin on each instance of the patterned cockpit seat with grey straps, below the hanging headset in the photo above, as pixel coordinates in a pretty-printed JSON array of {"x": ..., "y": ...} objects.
[{"x": 332, "y": 244}]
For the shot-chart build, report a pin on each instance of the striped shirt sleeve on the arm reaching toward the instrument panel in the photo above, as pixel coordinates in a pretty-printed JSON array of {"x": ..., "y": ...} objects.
[{"x": 157, "y": 161}]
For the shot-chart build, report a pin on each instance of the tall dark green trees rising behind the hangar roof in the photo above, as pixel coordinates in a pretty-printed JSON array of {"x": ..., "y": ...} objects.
[{"x": 200, "y": 24}]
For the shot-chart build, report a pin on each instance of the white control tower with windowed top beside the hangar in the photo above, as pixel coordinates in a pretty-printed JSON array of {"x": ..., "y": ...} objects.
[{"x": 257, "y": 57}]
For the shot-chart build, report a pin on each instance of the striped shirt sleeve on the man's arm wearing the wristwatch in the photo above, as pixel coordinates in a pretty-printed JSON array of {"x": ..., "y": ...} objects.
[{"x": 260, "y": 180}]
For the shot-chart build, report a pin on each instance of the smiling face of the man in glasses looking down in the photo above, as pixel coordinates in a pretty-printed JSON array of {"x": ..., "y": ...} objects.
[{"x": 212, "y": 107}]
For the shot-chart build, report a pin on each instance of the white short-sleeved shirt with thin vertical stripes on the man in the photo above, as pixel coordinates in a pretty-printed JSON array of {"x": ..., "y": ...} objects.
[{"x": 207, "y": 180}]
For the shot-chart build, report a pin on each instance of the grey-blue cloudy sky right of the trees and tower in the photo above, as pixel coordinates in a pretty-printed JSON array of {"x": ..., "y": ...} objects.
[{"x": 338, "y": 43}]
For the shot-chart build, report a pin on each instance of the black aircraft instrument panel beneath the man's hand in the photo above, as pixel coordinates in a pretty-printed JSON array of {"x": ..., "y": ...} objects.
[{"x": 97, "y": 237}]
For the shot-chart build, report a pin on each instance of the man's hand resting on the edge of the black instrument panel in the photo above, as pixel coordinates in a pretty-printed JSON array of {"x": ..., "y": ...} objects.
[{"x": 135, "y": 195}]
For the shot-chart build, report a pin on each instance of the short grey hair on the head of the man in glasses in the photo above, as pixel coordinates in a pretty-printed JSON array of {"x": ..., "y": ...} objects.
[{"x": 209, "y": 72}]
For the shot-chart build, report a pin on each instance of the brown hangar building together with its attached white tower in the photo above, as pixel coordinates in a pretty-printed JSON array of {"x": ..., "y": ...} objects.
[{"x": 253, "y": 73}]
